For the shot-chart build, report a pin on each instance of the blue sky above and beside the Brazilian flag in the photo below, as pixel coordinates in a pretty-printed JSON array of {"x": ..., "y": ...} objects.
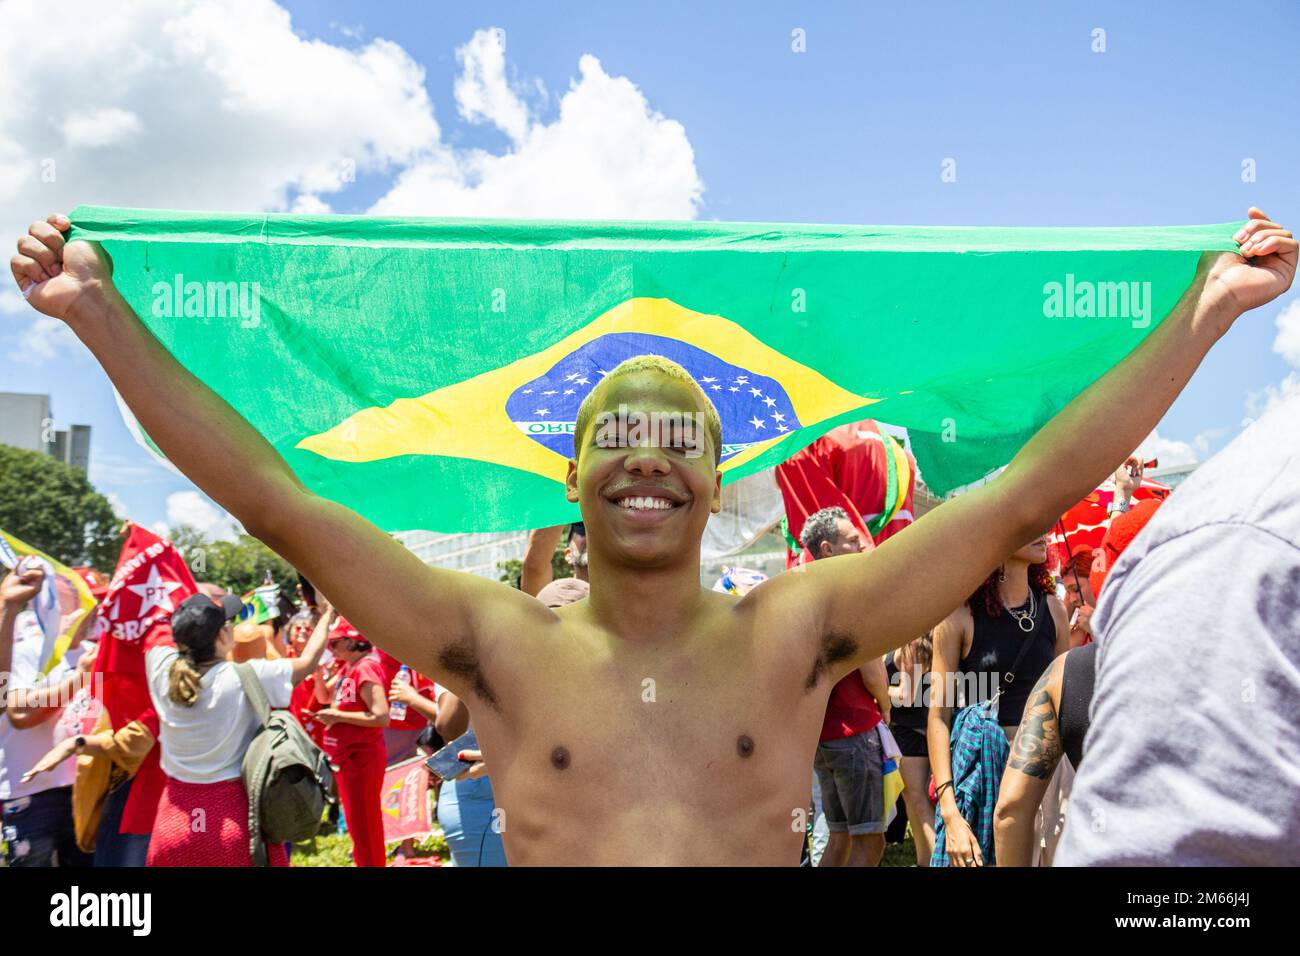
[{"x": 1045, "y": 131}]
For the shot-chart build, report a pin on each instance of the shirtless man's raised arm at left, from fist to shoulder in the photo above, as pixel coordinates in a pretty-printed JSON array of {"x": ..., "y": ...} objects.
[{"x": 414, "y": 612}]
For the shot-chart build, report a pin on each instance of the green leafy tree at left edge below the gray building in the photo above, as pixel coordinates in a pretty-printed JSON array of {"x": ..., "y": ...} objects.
[{"x": 54, "y": 507}]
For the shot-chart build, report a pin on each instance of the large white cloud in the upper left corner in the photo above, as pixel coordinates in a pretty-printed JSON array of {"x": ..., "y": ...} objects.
[{"x": 193, "y": 105}]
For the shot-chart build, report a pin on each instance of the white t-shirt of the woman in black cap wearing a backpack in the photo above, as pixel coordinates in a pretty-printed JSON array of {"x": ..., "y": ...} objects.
[{"x": 207, "y": 742}]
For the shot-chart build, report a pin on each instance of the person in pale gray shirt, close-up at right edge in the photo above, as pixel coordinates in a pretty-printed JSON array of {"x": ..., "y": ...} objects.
[{"x": 1194, "y": 754}]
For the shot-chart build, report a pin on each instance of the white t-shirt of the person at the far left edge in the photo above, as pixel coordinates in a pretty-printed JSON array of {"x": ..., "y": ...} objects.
[{"x": 20, "y": 750}]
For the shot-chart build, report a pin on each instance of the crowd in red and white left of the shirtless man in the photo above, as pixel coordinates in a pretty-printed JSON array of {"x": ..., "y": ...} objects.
[{"x": 366, "y": 710}]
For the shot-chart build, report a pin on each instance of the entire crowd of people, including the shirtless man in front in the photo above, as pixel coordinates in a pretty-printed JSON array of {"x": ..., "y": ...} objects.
[{"x": 627, "y": 715}]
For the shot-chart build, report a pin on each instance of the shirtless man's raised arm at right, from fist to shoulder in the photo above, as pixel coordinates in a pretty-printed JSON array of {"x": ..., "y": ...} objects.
[{"x": 885, "y": 599}]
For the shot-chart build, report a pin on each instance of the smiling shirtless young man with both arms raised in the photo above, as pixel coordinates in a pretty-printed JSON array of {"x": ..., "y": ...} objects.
[{"x": 591, "y": 763}]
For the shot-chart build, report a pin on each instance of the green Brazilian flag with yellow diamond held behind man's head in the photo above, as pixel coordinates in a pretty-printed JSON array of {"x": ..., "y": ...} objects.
[{"x": 428, "y": 373}]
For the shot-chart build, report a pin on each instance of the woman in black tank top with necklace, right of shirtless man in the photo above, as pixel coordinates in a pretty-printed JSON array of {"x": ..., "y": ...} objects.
[{"x": 999, "y": 643}]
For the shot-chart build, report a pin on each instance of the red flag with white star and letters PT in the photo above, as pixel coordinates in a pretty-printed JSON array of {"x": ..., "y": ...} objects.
[{"x": 150, "y": 582}]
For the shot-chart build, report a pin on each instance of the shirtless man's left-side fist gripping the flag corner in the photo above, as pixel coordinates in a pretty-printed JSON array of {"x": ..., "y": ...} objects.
[{"x": 57, "y": 278}]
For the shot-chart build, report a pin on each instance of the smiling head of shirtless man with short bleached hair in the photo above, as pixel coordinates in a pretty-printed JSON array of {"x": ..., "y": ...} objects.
[{"x": 645, "y": 500}]
